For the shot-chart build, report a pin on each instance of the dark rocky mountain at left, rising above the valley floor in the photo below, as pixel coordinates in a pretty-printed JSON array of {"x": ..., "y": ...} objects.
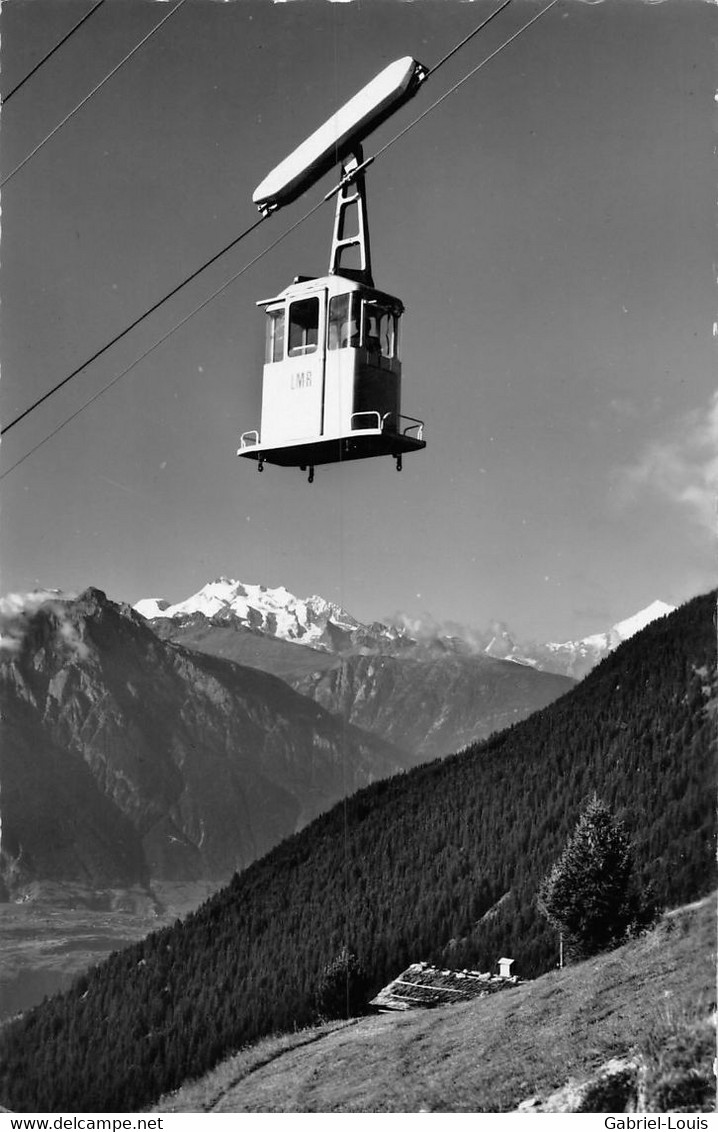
[{"x": 186, "y": 766}]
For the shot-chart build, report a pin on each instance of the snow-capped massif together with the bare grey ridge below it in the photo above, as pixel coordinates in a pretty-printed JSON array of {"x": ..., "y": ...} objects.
[{"x": 428, "y": 697}]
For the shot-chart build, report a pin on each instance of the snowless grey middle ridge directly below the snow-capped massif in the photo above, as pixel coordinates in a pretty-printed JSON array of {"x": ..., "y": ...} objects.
[{"x": 428, "y": 702}]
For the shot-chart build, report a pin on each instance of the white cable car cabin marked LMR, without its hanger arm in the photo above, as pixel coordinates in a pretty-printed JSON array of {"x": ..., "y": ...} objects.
[{"x": 332, "y": 378}]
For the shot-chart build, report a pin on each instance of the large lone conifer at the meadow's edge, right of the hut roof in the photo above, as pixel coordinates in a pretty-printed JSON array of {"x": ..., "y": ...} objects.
[{"x": 589, "y": 895}]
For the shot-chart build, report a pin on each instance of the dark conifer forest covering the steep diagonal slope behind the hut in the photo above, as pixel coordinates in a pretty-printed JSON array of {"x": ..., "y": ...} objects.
[{"x": 442, "y": 863}]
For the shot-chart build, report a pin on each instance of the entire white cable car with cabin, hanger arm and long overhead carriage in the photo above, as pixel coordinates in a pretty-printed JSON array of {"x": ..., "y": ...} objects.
[{"x": 332, "y": 374}]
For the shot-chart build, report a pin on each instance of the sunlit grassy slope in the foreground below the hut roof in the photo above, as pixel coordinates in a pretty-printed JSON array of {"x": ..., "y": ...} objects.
[{"x": 486, "y": 1056}]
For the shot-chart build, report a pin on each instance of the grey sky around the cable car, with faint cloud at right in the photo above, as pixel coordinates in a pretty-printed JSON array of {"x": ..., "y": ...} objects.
[{"x": 550, "y": 228}]
